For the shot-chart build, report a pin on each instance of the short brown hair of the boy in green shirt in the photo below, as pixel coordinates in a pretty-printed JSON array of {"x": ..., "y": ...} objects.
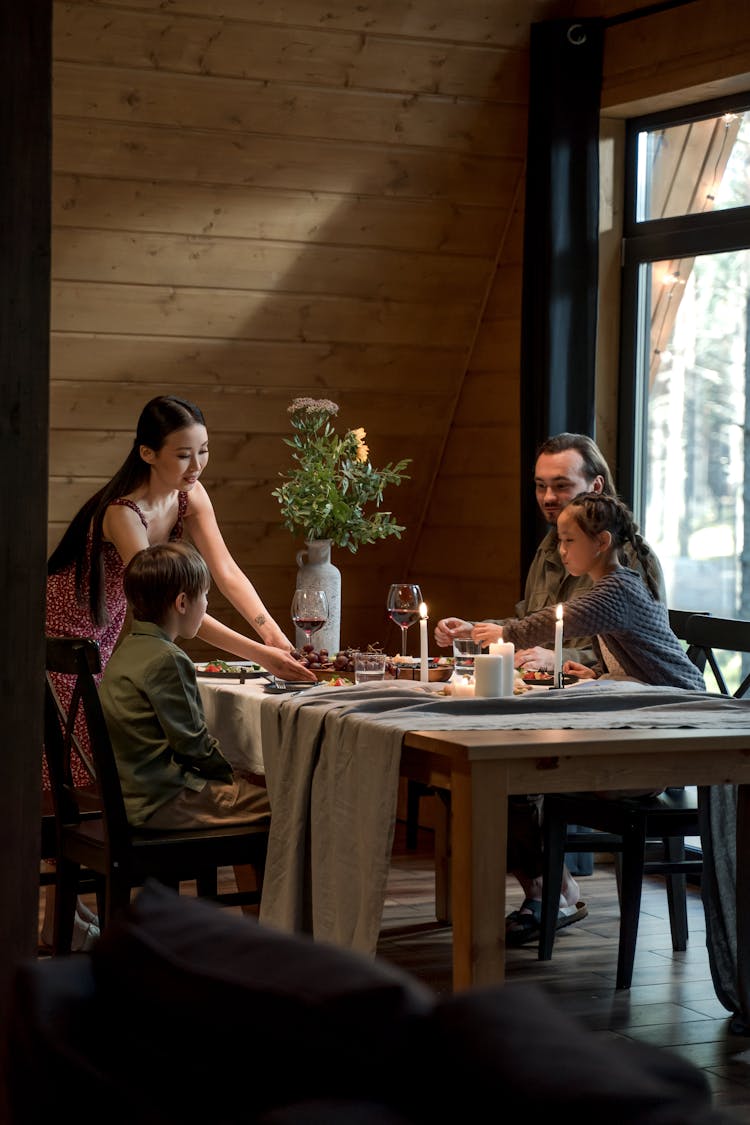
[{"x": 158, "y": 575}]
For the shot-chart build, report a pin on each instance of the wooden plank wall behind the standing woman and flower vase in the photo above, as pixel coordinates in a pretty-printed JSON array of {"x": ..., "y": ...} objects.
[{"x": 255, "y": 202}]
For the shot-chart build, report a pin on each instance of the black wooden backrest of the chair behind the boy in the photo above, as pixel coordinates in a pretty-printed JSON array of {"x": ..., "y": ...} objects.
[{"x": 79, "y": 658}]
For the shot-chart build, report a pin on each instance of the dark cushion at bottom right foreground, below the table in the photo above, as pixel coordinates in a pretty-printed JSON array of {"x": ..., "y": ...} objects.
[{"x": 518, "y": 1048}]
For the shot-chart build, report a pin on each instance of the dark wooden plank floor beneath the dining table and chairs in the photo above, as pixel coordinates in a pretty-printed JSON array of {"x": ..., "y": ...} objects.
[{"x": 672, "y": 1004}]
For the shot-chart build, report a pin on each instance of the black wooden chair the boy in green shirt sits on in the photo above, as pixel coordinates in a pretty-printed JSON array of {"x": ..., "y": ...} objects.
[{"x": 124, "y": 857}]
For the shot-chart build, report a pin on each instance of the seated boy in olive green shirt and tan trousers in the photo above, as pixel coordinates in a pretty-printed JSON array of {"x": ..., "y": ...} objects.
[{"x": 173, "y": 772}]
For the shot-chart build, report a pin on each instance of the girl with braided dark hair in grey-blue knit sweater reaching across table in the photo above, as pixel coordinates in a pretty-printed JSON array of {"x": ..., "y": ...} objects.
[{"x": 630, "y": 626}]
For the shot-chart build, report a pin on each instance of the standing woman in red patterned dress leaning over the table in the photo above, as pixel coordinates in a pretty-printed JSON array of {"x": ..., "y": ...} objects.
[{"x": 156, "y": 497}]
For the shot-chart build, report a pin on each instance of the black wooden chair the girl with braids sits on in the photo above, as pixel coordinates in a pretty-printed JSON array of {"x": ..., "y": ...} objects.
[{"x": 630, "y": 827}]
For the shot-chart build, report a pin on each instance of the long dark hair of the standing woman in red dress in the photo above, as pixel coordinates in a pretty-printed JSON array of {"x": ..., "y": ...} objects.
[{"x": 159, "y": 419}]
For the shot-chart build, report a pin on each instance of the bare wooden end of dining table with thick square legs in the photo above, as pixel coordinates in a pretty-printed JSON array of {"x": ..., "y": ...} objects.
[{"x": 483, "y": 769}]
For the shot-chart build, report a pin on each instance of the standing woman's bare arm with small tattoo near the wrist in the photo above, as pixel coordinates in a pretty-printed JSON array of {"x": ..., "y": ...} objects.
[{"x": 233, "y": 583}]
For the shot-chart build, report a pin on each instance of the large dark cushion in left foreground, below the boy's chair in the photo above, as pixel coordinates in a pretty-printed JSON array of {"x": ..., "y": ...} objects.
[{"x": 206, "y": 1001}]
